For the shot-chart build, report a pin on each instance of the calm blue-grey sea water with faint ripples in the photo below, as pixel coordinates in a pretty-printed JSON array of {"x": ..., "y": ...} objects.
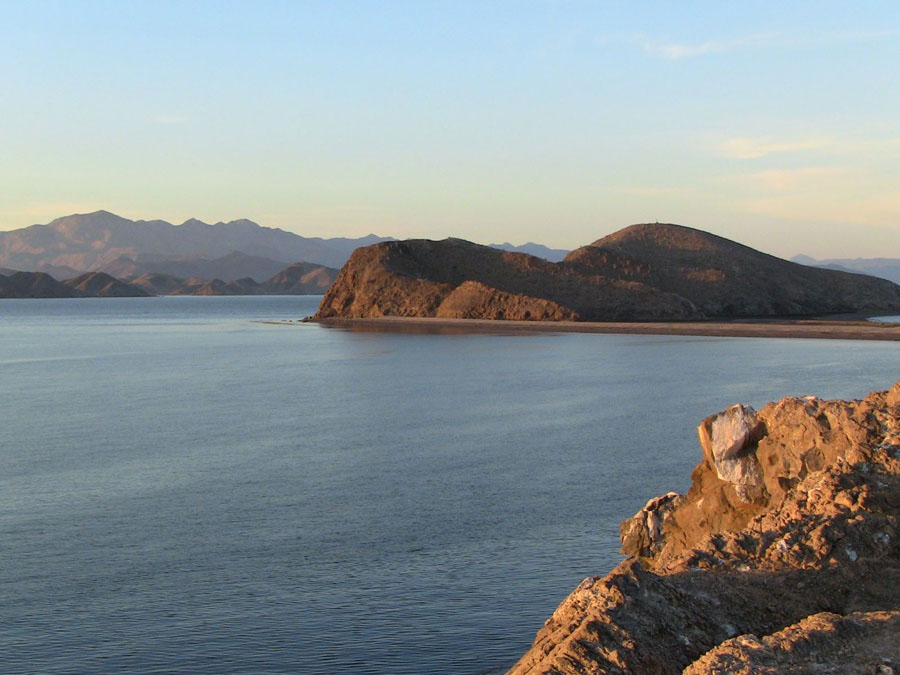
[{"x": 186, "y": 487}]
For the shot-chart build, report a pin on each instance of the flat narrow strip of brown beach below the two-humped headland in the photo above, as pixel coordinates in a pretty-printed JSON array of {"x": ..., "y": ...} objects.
[{"x": 822, "y": 329}]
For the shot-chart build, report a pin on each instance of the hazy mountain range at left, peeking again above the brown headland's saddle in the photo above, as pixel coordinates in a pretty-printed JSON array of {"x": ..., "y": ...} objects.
[{"x": 127, "y": 249}]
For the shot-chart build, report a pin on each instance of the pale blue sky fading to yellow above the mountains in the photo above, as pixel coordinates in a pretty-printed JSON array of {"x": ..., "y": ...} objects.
[{"x": 776, "y": 124}]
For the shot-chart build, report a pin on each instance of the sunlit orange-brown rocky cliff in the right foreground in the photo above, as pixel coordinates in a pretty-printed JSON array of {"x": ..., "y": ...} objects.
[{"x": 784, "y": 555}]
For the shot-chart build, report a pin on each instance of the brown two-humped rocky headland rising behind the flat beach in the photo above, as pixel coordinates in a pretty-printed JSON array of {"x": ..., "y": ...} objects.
[{"x": 643, "y": 272}]
